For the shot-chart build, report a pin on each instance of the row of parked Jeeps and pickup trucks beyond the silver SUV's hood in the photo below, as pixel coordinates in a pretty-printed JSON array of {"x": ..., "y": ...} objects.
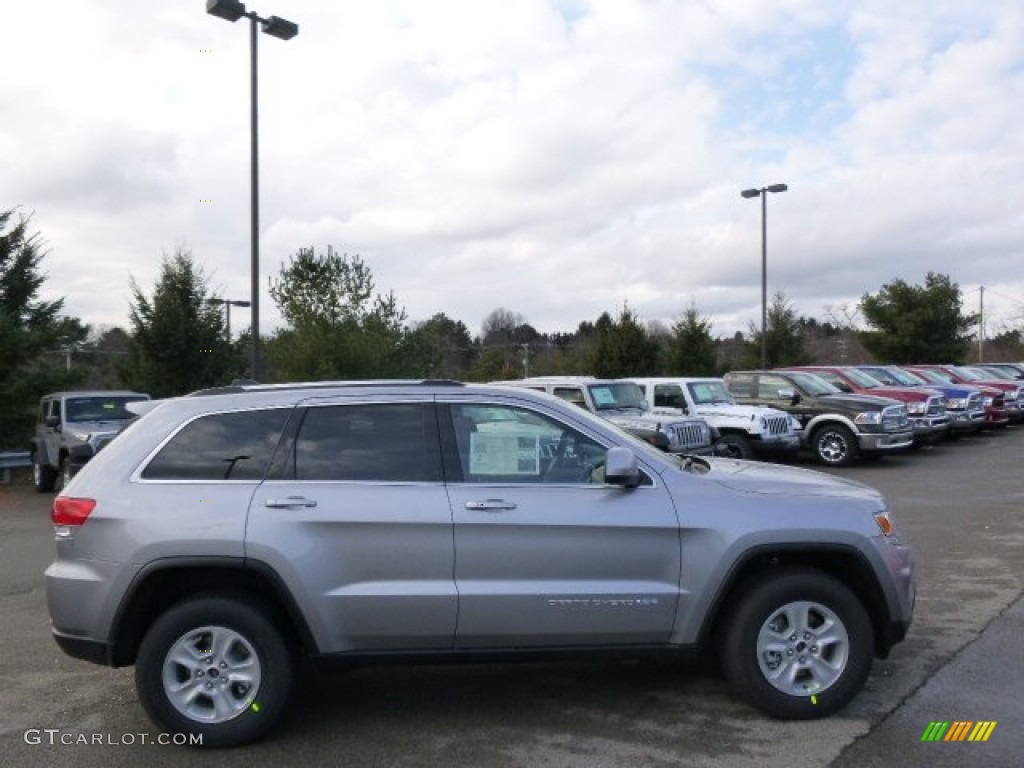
[{"x": 838, "y": 413}]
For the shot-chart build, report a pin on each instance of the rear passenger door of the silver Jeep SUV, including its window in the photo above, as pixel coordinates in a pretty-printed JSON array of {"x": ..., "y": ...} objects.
[{"x": 355, "y": 513}]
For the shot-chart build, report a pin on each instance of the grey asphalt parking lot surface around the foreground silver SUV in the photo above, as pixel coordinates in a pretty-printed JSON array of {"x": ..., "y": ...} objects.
[{"x": 960, "y": 504}]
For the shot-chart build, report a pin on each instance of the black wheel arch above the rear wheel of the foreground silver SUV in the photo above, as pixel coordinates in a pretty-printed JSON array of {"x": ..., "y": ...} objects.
[{"x": 169, "y": 582}]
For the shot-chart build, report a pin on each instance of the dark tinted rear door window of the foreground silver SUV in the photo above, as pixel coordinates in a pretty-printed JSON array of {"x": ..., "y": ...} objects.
[{"x": 391, "y": 442}]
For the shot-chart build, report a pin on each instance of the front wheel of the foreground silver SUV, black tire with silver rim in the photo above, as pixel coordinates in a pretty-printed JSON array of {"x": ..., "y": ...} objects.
[{"x": 772, "y": 612}]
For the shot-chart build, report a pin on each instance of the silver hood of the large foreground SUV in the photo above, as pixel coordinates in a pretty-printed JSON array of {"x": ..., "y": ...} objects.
[{"x": 779, "y": 480}]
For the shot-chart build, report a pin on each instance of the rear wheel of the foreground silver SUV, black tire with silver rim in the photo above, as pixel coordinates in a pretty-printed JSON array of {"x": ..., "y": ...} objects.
[{"x": 252, "y": 654}]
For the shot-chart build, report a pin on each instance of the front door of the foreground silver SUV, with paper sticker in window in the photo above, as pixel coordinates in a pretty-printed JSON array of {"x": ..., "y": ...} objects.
[{"x": 546, "y": 553}]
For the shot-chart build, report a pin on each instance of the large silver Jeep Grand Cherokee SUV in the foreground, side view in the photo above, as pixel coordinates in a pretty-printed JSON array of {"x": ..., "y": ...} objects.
[{"x": 225, "y": 535}]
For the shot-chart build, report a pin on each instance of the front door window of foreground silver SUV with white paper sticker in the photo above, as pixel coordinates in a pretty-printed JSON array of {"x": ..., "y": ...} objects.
[{"x": 503, "y": 444}]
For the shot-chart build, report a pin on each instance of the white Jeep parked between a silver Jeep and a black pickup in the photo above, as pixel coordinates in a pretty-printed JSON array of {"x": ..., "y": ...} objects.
[{"x": 746, "y": 432}]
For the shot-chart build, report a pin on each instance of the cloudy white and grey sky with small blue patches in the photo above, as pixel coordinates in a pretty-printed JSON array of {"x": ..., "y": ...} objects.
[{"x": 559, "y": 158}]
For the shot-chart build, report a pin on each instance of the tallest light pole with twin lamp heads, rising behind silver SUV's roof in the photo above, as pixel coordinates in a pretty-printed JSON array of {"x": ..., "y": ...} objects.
[{"x": 233, "y": 11}]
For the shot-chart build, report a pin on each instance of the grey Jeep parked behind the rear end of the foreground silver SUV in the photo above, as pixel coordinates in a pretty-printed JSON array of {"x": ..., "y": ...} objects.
[{"x": 71, "y": 428}]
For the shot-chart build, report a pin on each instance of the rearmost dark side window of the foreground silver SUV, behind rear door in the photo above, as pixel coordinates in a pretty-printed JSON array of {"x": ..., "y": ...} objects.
[{"x": 221, "y": 447}]
